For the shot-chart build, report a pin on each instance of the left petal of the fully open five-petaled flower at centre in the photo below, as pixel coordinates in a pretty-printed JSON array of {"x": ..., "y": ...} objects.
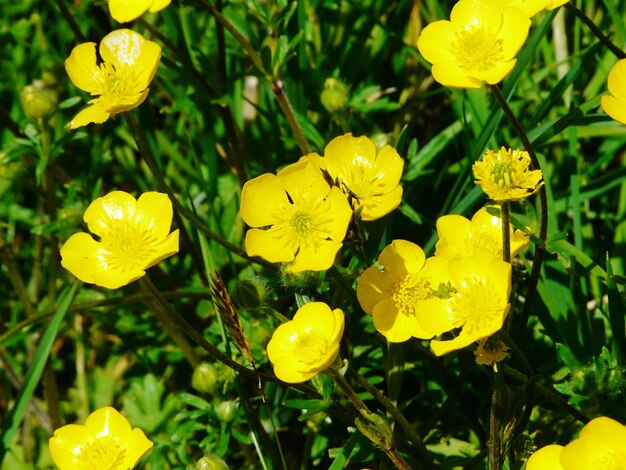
[{"x": 261, "y": 199}]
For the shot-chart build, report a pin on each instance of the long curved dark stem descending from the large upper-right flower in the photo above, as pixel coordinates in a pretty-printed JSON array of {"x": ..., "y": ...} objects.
[{"x": 543, "y": 205}]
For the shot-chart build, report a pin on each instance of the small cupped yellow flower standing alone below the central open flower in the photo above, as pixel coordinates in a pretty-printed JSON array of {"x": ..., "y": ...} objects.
[{"x": 308, "y": 344}]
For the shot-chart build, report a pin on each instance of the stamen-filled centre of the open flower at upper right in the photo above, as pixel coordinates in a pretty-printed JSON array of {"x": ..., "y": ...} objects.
[{"x": 477, "y": 49}]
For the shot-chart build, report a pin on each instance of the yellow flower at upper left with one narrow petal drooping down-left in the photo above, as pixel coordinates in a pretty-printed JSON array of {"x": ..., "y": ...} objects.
[{"x": 129, "y": 63}]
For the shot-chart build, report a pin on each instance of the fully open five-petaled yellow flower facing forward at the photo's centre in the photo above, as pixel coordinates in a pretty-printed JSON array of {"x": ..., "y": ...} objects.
[{"x": 296, "y": 217}]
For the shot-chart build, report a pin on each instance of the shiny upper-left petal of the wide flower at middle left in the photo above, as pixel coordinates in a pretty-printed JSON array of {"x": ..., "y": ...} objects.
[{"x": 103, "y": 211}]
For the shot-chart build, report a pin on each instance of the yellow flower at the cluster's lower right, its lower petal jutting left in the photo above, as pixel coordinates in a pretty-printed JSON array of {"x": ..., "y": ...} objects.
[{"x": 479, "y": 301}]
